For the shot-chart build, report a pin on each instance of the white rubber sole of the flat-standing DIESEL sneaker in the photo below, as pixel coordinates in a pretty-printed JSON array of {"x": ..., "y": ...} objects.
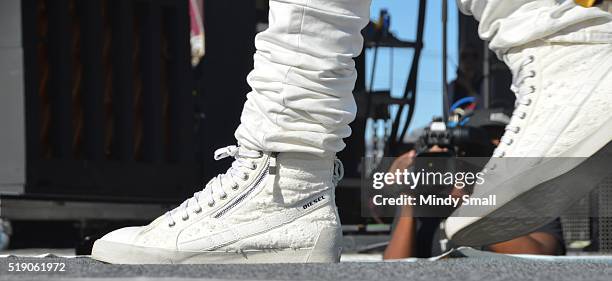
[{"x": 324, "y": 251}]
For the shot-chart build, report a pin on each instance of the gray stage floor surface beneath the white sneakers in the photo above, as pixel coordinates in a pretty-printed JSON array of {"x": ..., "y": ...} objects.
[{"x": 475, "y": 267}]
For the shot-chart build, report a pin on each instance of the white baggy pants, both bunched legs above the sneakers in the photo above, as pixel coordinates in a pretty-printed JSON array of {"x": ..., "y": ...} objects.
[{"x": 304, "y": 73}]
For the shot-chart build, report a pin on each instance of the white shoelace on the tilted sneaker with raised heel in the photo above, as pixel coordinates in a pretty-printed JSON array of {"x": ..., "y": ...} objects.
[{"x": 523, "y": 93}]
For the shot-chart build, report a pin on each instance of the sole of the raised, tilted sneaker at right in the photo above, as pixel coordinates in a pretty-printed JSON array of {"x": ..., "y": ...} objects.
[{"x": 529, "y": 209}]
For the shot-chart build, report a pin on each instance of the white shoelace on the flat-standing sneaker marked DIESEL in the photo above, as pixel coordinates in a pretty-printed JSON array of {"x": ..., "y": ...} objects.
[{"x": 215, "y": 187}]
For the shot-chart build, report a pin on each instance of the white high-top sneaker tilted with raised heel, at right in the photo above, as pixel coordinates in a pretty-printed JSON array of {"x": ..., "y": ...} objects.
[{"x": 552, "y": 152}]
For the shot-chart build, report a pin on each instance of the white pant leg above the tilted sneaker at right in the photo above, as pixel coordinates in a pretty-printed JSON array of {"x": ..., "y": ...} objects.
[{"x": 512, "y": 23}]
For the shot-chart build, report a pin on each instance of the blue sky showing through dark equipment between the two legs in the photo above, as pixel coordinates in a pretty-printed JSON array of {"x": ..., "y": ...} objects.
[{"x": 404, "y": 15}]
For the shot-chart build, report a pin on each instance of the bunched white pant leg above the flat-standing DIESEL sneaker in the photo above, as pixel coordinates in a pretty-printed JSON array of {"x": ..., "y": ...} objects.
[{"x": 303, "y": 79}]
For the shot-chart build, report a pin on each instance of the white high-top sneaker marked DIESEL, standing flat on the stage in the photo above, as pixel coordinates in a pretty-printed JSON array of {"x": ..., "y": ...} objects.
[{"x": 267, "y": 208}]
